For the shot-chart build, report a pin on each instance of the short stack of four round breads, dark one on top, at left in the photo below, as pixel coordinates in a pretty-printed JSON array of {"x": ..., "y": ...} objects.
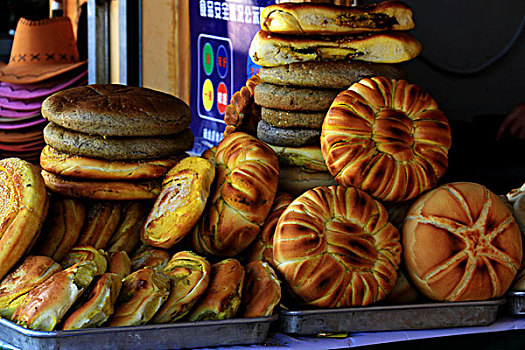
[{"x": 112, "y": 142}]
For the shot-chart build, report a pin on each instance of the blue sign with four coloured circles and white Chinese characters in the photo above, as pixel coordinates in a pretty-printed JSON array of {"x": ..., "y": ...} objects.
[{"x": 220, "y": 32}]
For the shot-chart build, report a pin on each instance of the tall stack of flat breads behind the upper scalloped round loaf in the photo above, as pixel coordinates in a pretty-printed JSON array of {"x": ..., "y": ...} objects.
[{"x": 309, "y": 53}]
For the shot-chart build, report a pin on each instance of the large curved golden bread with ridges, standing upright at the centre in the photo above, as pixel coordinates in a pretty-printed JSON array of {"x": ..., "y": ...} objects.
[{"x": 245, "y": 185}]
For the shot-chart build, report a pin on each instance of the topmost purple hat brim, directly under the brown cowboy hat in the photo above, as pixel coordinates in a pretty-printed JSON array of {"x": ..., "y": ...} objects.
[{"x": 46, "y": 88}]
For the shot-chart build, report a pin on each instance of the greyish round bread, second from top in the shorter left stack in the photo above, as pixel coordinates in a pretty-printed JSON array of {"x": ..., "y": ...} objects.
[{"x": 117, "y": 148}]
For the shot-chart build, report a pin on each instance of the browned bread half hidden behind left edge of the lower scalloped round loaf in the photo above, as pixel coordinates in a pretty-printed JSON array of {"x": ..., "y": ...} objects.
[{"x": 262, "y": 246}]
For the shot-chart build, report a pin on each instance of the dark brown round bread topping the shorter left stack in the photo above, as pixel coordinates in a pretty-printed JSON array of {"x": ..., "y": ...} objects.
[{"x": 117, "y": 110}]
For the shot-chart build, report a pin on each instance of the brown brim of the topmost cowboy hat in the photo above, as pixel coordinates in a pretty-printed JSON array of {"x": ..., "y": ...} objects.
[{"x": 28, "y": 74}]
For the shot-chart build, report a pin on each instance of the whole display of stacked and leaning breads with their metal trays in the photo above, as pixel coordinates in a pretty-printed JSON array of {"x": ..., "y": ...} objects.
[{"x": 322, "y": 207}]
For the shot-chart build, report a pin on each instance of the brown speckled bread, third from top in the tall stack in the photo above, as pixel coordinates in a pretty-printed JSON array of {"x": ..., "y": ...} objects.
[{"x": 339, "y": 74}]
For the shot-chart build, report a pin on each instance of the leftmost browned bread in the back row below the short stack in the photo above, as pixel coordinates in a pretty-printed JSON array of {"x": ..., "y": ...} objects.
[{"x": 62, "y": 227}]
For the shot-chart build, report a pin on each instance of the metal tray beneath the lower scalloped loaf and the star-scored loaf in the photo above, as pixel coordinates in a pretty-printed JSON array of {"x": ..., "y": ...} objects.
[{"x": 389, "y": 318}]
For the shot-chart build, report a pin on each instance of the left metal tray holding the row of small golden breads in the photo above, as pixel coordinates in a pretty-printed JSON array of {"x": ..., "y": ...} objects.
[{"x": 159, "y": 336}]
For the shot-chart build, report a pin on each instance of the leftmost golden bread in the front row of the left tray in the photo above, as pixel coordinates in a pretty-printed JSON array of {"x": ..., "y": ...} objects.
[{"x": 30, "y": 273}]
